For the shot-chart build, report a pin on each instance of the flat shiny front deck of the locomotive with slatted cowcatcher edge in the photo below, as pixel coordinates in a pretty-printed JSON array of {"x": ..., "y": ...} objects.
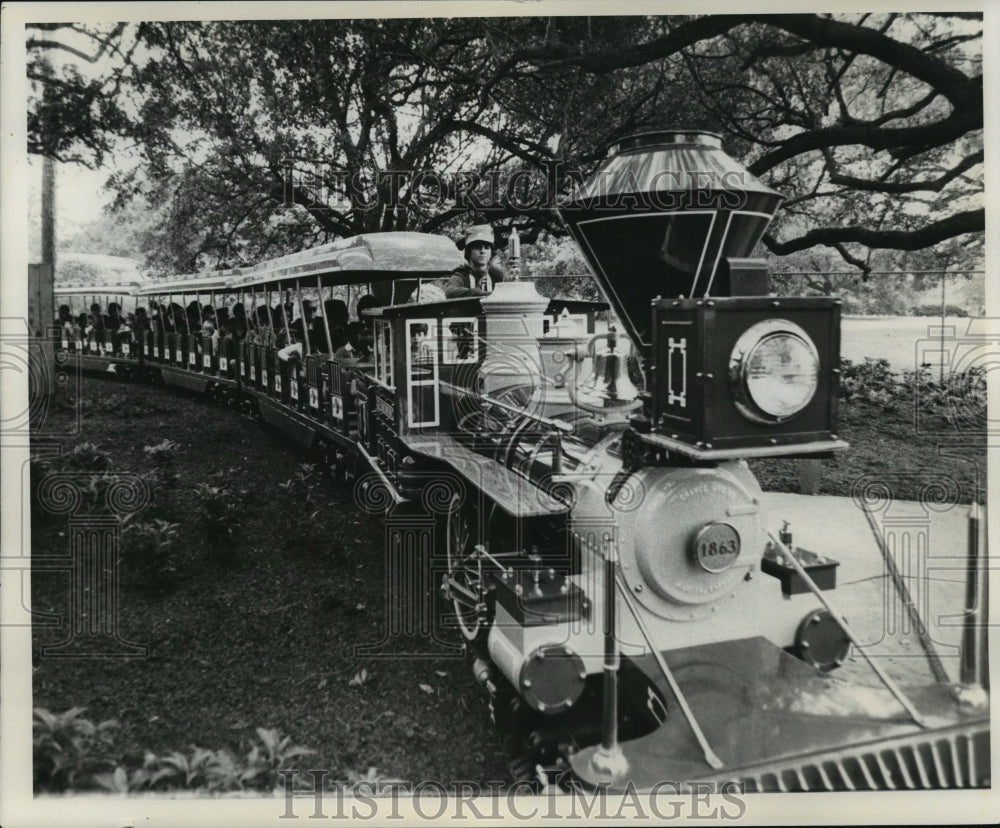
[{"x": 779, "y": 724}]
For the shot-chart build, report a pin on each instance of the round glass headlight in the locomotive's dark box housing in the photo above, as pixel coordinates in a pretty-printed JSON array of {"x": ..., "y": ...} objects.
[{"x": 774, "y": 371}]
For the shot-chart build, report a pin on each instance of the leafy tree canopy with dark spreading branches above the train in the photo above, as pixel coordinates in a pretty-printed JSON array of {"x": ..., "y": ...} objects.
[{"x": 262, "y": 136}]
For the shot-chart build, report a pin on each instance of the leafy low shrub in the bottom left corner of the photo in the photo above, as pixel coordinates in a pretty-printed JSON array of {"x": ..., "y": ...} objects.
[{"x": 69, "y": 749}]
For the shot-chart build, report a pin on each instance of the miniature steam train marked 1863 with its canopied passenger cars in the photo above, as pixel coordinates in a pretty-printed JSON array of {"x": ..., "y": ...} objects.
[{"x": 605, "y": 553}]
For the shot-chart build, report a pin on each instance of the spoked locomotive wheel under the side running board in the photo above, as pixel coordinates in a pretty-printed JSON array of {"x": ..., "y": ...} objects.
[{"x": 465, "y": 586}]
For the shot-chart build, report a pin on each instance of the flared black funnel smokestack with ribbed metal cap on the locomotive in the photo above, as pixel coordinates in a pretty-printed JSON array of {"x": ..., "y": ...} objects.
[{"x": 660, "y": 217}]
